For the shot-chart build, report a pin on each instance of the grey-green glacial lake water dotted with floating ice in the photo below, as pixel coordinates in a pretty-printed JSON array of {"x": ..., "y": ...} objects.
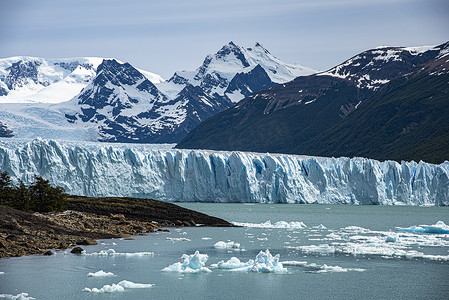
[{"x": 342, "y": 252}]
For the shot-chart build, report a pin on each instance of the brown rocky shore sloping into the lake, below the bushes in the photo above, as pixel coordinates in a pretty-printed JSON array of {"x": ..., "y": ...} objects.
[{"x": 89, "y": 219}]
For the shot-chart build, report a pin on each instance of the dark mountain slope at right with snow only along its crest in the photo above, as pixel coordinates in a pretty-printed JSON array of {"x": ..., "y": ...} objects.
[{"x": 384, "y": 103}]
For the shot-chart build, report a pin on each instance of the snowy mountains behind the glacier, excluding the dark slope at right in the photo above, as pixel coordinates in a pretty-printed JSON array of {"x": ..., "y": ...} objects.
[{"x": 109, "y": 100}]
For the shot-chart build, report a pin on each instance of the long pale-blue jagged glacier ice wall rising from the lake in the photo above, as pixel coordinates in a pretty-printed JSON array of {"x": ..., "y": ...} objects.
[{"x": 200, "y": 175}]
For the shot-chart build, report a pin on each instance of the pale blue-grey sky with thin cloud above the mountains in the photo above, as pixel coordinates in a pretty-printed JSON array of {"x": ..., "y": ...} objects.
[{"x": 170, "y": 35}]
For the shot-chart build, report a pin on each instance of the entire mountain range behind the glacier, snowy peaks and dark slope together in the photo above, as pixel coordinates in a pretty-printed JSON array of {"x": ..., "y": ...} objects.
[{"x": 384, "y": 103}]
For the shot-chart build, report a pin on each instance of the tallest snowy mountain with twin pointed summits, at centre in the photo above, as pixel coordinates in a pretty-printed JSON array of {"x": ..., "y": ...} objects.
[{"x": 216, "y": 73}]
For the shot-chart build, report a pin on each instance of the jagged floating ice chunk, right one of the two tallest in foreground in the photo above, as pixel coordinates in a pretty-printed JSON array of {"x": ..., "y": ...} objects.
[{"x": 264, "y": 263}]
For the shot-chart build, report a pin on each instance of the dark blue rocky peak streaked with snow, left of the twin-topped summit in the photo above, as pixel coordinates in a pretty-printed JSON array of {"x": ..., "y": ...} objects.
[{"x": 127, "y": 107}]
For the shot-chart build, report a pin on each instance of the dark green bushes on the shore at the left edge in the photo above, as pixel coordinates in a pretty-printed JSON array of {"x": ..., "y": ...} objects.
[{"x": 40, "y": 196}]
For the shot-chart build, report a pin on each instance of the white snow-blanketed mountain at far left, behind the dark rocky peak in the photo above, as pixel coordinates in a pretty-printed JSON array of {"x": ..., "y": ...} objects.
[{"x": 25, "y": 79}]
